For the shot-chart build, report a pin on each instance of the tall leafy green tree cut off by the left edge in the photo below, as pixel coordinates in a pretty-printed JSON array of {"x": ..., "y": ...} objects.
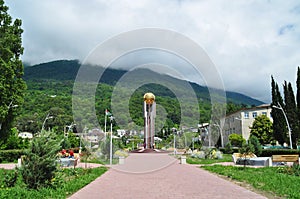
[{"x": 11, "y": 69}]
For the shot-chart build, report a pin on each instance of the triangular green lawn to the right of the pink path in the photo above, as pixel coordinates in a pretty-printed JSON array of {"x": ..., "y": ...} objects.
[{"x": 267, "y": 179}]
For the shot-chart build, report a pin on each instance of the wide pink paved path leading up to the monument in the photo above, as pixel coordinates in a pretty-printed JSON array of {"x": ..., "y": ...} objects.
[{"x": 160, "y": 176}]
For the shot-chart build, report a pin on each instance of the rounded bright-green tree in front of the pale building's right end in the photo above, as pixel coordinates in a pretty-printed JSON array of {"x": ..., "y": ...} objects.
[{"x": 262, "y": 128}]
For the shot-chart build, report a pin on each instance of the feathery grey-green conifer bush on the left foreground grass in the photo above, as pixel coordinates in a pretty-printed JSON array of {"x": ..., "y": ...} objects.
[{"x": 39, "y": 163}]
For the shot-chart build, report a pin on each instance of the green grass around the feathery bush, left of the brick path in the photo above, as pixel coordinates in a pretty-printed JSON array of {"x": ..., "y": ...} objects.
[{"x": 67, "y": 182}]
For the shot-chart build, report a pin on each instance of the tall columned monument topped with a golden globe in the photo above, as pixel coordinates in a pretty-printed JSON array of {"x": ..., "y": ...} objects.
[{"x": 149, "y": 121}]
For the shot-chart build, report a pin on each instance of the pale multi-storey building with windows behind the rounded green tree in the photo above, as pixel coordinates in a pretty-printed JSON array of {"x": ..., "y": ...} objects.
[{"x": 240, "y": 121}]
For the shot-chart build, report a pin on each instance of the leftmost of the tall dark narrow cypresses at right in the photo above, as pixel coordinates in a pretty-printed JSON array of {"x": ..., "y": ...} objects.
[{"x": 279, "y": 124}]
